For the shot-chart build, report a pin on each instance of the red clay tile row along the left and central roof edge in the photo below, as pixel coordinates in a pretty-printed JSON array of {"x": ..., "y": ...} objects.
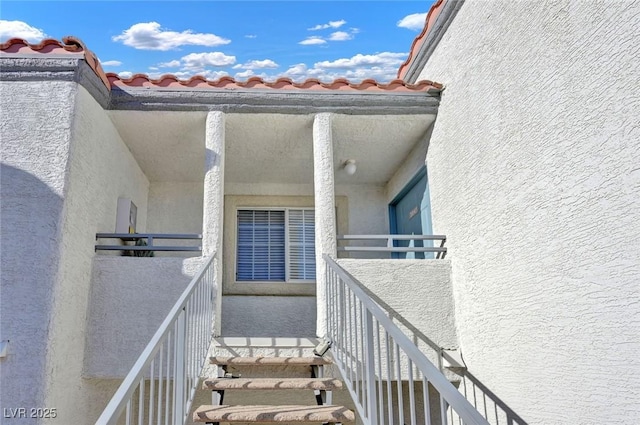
[{"x": 73, "y": 46}]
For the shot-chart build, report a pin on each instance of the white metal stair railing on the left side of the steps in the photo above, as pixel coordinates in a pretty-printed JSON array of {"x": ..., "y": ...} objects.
[{"x": 160, "y": 387}]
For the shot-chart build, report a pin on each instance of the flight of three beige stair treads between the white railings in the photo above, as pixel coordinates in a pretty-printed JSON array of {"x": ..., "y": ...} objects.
[{"x": 298, "y": 374}]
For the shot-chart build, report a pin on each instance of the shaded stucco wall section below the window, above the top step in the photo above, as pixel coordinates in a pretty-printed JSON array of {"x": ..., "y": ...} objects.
[{"x": 268, "y": 316}]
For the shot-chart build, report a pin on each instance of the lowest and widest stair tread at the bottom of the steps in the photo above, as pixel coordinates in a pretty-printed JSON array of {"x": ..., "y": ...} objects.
[{"x": 261, "y": 413}]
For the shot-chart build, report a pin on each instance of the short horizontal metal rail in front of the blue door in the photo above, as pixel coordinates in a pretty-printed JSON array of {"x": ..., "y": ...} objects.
[{"x": 390, "y": 240}]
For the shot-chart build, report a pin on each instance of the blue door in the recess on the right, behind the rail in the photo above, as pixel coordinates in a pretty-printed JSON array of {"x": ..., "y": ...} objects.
[{"x": 411, "y": 215}]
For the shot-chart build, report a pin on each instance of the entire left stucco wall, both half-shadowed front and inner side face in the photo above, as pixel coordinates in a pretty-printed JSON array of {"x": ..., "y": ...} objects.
[{"x": 63, "y": 168}]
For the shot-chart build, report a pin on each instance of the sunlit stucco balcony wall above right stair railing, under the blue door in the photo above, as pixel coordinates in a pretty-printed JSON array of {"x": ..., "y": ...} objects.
[{"x": 417, "y": 290}]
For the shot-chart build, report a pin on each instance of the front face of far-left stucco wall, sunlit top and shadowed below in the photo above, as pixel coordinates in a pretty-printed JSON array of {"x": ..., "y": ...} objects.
[{"x": 35, "y": 137}]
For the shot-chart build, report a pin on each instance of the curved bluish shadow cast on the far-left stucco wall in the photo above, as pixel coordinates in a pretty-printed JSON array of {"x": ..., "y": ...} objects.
[{"x": 30, "y": 221}]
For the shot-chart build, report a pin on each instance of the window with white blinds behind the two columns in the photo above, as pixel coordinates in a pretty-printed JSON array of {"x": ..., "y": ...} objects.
[{"x": 276, "y": 245}]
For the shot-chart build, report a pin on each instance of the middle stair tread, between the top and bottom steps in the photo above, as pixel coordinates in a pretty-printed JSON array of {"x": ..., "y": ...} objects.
[{"x": 272, "y": 384}]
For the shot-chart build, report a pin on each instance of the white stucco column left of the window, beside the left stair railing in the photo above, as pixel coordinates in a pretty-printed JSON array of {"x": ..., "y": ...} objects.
[{"x": 213, "y": 202}]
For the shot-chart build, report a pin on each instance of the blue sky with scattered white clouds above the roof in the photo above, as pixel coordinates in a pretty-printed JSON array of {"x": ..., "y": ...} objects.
[{"x": 269, "y": 39}]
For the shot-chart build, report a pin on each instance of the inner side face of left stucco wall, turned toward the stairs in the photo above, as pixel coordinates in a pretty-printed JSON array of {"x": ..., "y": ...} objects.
[{"x": 100, "y": 170}]
